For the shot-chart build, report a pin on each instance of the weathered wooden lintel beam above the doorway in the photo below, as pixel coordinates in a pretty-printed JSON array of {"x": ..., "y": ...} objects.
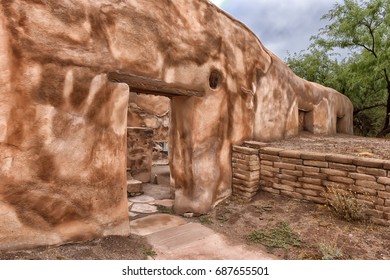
[{"x": 145, "y": 85}]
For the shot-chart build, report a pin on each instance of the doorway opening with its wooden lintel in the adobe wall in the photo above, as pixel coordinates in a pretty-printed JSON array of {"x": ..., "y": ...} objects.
[{"x": 147, "y": 137}]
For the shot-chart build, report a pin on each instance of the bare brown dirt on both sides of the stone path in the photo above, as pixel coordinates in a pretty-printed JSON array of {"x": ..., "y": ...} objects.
[{"x": 314, "y": 226}]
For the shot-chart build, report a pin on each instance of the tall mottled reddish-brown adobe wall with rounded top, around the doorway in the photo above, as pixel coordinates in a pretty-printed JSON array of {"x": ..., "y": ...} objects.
[{"x": 63, "y": 122}]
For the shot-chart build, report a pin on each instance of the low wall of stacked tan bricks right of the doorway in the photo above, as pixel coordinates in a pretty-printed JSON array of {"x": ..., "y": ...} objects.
[{"x": 309, "y": 176}]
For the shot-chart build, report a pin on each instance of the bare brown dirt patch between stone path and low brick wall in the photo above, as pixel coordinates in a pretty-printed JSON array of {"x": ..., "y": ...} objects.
[{"x": 316, "y": 227}]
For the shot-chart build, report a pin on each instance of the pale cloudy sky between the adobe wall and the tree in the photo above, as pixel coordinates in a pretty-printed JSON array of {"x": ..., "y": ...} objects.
[{"x": 282, "y": 25}]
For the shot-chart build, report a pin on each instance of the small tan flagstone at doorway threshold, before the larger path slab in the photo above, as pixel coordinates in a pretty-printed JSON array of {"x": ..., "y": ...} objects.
[{"x": 155, "y": 223}]
